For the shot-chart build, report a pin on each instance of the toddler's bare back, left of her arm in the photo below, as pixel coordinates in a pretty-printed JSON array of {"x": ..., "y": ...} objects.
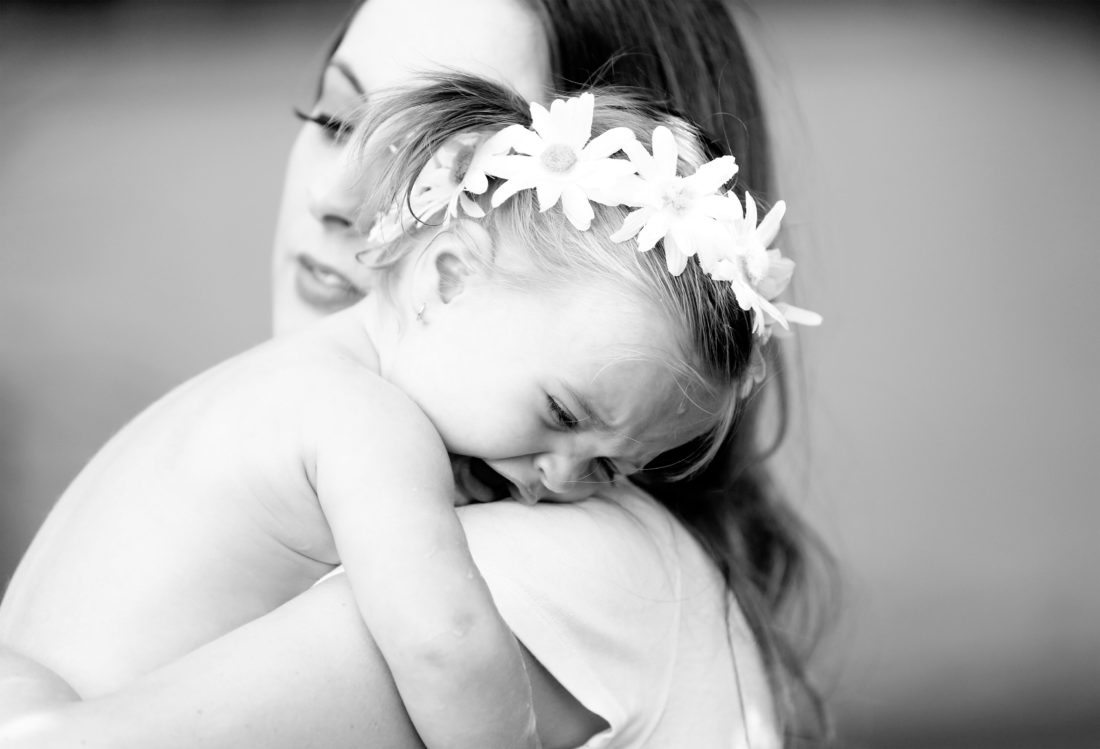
[{"x": 195, "y": 519}]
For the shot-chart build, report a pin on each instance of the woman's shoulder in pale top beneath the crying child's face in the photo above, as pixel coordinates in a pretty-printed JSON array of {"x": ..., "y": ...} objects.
[{"x": 621, "y": 604}]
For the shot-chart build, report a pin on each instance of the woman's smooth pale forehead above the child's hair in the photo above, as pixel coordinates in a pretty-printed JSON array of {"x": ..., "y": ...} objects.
[{"x": 390, "y": 42}]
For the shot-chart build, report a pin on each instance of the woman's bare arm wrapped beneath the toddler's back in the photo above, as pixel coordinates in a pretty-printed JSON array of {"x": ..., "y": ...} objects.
[{"x": 307, "y": 675}]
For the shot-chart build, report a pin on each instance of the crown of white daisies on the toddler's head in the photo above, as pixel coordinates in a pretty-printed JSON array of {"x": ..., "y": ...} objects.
[{"x": 558, "y": 159}]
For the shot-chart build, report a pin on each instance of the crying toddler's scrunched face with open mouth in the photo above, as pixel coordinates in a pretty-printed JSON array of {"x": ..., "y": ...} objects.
[{"x": 557, "y": 391}]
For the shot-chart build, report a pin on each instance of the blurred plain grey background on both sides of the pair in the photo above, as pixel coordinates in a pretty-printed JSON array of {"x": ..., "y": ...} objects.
[{"x": 943, "y": 166}]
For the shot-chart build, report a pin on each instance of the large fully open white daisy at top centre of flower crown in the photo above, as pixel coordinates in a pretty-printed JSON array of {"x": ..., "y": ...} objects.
[{"x": 560, "y": 160}]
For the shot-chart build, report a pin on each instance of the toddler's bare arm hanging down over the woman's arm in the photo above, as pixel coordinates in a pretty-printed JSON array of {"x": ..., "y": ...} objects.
[{"x": 384, "y": 483}]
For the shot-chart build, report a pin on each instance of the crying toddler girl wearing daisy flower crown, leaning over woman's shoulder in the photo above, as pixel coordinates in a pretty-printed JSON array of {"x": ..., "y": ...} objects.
[{"x": 564, "y": 347}]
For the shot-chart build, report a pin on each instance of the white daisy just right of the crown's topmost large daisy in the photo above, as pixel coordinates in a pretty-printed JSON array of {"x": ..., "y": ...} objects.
[{"x": 681, "y": 211}]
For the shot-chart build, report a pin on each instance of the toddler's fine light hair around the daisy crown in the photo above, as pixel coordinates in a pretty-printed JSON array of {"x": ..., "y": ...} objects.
[{"x": 402, "y": 131}]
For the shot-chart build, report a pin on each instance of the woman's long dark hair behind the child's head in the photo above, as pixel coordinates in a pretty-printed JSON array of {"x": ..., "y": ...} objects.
[{"x": 689, "y": 58}]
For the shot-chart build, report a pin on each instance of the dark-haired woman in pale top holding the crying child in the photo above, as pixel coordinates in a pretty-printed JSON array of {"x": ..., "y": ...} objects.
[{"x": 609, "y": 658}]
